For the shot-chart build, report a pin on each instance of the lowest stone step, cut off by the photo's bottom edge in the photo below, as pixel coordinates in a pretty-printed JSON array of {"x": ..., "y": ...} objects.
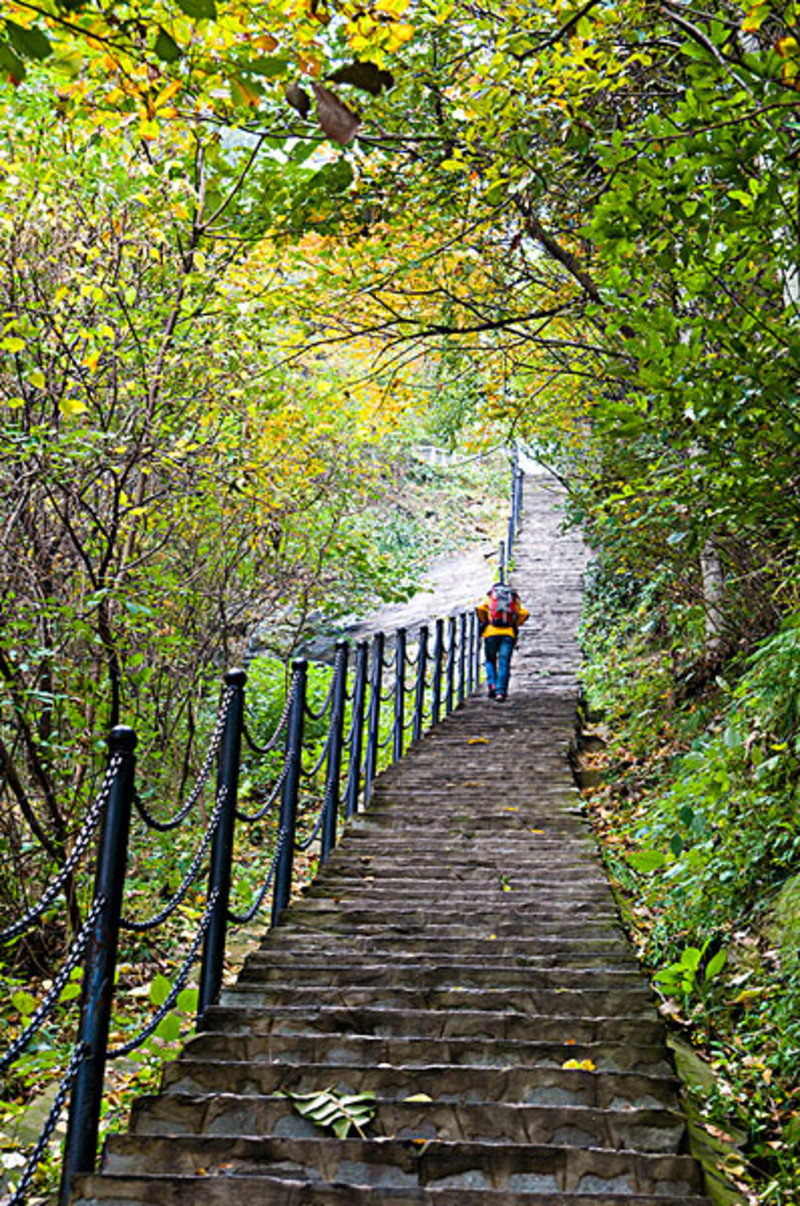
[{"x": 247, "y": 1191}]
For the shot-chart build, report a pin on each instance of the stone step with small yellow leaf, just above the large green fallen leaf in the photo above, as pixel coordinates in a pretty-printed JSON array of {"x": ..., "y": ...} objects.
[{"x": 539, "y": 1086}]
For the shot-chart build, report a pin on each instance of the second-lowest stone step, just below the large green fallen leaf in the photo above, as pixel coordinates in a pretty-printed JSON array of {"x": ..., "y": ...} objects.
[{"x": 435, "y": 1164}]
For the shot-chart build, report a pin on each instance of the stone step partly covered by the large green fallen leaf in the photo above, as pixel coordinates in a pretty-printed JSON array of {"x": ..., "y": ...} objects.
[{"x": 645, "y": 1131}]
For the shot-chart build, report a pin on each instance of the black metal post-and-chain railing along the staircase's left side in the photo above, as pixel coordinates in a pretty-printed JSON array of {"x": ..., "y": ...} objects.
[{"x": 365, "y": 721}]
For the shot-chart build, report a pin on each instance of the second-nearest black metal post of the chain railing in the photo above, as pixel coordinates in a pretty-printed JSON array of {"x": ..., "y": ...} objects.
[{"x": 223, "y": 847}]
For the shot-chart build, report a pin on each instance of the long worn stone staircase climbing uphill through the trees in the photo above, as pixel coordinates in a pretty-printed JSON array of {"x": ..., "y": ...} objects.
[{"x": 462, "y": 958}]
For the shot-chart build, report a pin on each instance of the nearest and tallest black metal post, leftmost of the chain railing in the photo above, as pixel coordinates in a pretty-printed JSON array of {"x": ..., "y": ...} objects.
[{"x": 97, "y": 996}]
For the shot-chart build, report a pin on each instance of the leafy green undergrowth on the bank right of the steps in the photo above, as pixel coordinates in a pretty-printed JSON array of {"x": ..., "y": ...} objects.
[{"x": 699, "y": 816}]
